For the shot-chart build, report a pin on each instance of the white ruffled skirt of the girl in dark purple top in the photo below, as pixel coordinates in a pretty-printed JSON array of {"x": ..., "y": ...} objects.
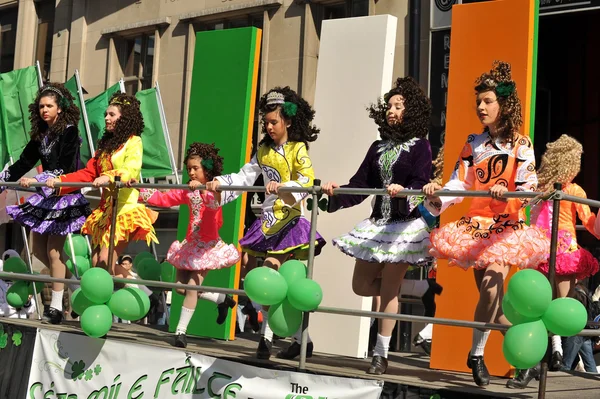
[{"x": 397, "y": 242}]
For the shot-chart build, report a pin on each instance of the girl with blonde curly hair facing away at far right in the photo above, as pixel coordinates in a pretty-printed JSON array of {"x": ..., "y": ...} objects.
[{"x": 561, "y": 163}]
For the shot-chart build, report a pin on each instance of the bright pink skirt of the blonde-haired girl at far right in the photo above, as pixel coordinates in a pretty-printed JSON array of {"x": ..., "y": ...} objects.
[{"x": 569, "y": 260}]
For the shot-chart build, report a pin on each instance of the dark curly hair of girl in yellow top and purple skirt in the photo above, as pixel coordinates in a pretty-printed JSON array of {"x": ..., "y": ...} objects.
[{"x": 301, "y": 128}]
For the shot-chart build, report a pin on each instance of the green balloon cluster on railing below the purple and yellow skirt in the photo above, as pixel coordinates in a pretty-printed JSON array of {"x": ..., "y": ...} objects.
[{"x": 288, "y": 293}]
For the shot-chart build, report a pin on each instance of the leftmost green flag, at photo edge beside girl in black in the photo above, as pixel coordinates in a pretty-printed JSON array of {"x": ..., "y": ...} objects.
[{"x": 18, "y": 89}]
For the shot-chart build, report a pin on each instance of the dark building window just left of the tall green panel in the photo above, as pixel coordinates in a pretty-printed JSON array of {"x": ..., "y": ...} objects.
[{"x": 136, "y": 56}]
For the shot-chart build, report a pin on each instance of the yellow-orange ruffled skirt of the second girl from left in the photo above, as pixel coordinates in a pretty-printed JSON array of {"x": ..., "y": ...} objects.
[{"x": 133, "y": 225}]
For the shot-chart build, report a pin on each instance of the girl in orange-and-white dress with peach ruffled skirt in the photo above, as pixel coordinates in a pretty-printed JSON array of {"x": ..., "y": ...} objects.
[{"x": 493, "y": 235}]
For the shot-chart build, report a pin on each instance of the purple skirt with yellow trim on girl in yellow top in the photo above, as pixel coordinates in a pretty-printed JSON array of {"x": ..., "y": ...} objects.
[{"x": 293, "y": 239}]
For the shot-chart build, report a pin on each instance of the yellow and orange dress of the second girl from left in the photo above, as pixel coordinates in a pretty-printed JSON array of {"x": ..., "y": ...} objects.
[{"x": 134, "y": 220}]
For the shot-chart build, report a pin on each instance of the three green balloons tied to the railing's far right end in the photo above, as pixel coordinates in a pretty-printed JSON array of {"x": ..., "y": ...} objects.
[{"x": 528, "y": 305}]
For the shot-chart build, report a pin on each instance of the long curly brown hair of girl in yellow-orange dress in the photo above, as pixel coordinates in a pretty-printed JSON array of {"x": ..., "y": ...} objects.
[{"x": 131, "y": 123}]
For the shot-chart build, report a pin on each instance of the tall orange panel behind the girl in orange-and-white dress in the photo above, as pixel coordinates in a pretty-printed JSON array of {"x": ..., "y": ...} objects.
[{"x": 481, "y": 33}]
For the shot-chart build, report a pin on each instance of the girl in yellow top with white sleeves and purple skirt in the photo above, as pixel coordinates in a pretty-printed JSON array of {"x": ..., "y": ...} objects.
[{"x": 282, "y": 158}]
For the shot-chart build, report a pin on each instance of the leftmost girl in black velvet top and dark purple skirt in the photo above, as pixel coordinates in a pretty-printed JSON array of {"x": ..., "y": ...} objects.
[{"x": 55, "y": 141}]
